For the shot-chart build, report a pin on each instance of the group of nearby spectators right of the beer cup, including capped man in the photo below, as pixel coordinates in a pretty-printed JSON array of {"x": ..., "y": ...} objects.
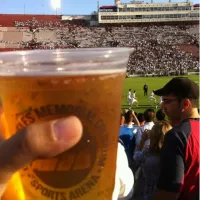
[{"x": 159, "y": 145}]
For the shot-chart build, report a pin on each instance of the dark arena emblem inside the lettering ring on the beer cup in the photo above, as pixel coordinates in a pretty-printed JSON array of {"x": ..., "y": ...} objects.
[{"x": 69, "y": 168}]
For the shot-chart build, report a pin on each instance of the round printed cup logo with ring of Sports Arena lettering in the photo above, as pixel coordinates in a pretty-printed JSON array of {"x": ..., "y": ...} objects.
[{"x": 79, "y": 168}]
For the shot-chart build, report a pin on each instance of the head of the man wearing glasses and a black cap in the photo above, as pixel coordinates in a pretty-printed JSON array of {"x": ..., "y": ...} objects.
[{"x": 180, "y": 99}]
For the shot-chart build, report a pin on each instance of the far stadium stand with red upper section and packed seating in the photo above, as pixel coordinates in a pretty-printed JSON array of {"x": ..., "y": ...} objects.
[{"x": 174, "y": 47}]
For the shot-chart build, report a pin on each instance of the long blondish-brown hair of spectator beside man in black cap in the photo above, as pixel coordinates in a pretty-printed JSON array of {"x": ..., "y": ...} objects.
[{"x": 157, "y": 134}]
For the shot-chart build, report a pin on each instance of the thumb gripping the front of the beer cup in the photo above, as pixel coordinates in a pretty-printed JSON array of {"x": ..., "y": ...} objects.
[{"x": 40, "y": 140}]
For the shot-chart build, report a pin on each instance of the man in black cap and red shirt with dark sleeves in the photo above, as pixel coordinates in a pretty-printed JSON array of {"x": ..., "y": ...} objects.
[{"x": 179, "y": 177}]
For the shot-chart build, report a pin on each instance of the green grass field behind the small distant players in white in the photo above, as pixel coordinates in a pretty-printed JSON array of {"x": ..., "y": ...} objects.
[{"x": 137, "y": 84}]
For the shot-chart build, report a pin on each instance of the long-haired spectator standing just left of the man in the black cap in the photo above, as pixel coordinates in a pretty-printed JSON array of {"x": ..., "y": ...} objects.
[{"x": 149, "y": 161}]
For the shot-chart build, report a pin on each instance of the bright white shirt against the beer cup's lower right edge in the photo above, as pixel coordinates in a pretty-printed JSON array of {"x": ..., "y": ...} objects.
[{"x": 124, "y": 179}]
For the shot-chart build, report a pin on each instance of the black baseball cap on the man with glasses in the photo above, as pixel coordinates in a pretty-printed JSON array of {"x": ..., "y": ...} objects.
[{"x": 181, "y": 87}]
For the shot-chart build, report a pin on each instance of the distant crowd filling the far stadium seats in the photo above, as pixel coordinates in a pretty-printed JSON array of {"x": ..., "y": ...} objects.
[{"x": 157, "y": 48}]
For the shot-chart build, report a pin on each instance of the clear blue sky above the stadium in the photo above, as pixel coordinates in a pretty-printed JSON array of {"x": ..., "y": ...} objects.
[{"x": 68, "y": 7}]
